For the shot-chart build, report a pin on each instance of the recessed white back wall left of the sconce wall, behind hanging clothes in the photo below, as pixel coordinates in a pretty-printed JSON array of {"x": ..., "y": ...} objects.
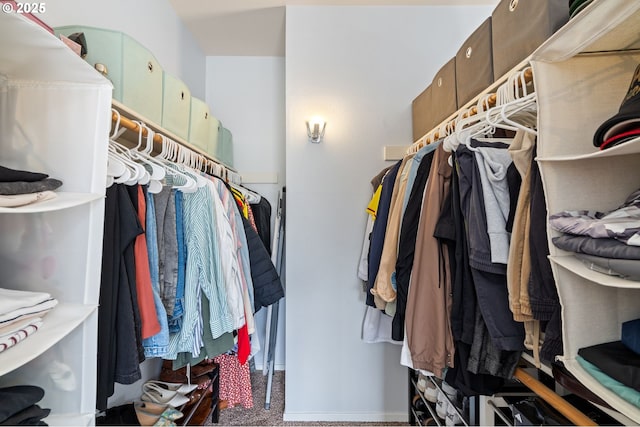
[{"x": 247, "y": 95}]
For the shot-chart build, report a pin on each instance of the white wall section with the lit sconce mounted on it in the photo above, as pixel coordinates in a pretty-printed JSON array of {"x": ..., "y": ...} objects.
[{"x": 359, "y": 67}]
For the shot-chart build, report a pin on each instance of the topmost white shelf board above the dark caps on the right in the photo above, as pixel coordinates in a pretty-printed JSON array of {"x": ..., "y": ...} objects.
[{"x": 602, "y": 26}]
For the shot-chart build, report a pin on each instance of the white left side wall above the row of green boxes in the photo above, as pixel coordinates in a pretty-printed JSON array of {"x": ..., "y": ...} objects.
[{"x": 153, "y": 23}]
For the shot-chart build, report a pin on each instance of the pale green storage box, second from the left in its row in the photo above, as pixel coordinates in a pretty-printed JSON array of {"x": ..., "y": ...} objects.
[{"x": 176, "y": 106}]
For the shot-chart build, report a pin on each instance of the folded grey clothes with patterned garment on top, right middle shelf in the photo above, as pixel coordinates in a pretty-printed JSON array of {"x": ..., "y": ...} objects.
[{"x": 608, "y": 242}]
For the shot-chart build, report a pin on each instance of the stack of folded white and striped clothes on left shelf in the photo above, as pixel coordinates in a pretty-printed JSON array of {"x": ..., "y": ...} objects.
[{"x": 21, "y": 314}]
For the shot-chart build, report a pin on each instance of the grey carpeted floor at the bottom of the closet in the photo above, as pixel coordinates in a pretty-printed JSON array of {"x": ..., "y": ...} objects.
[{"x": 258, "y": 416}]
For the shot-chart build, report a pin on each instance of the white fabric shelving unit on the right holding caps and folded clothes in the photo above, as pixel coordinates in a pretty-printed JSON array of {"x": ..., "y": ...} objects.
[{"x": 581, "y": 75}]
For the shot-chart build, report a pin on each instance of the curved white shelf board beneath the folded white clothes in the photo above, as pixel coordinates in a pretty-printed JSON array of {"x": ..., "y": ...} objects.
[{"x": 57, "y": 324}]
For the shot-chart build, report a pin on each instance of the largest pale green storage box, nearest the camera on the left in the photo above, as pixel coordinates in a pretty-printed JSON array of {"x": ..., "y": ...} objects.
[{"x": 134, "y": 71}]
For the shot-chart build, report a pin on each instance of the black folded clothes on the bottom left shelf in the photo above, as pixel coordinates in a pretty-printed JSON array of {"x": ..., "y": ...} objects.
[{"x": 18, "y": 406}]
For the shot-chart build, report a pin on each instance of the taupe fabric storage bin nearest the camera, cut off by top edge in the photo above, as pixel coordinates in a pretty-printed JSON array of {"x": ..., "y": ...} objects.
[{"x": 518, "y": 27}]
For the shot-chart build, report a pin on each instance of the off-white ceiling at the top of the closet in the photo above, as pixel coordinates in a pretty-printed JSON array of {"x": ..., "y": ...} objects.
[{"x": 256, "y": 27}]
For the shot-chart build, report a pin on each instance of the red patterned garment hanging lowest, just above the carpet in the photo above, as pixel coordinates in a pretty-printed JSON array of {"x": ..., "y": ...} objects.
[{"x": 235, "y": 381}]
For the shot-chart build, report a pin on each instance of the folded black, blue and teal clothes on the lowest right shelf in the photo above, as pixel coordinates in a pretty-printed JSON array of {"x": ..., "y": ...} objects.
[{"x": 616, "y": 364}]
